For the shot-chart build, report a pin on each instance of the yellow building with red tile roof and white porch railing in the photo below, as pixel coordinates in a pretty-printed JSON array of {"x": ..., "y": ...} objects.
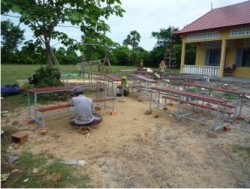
[{"x": 222, "y": 40}]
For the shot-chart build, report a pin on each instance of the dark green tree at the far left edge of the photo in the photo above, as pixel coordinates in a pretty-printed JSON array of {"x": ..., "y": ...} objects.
[{"x": 12, "y": 37}]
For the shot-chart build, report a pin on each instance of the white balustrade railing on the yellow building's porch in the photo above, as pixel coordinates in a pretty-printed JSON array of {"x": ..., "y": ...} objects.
[{"x": 202, "y": 70}]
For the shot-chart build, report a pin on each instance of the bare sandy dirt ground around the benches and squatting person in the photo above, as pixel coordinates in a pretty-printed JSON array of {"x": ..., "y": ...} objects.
[{"x": 132, "y": 149}]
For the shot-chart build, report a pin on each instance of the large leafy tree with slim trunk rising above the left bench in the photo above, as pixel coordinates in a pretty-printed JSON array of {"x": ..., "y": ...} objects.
[{"x": 42, "y": 17}]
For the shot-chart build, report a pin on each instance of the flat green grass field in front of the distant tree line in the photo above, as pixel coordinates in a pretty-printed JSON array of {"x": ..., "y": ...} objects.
[{"x": 12, "y": 72}]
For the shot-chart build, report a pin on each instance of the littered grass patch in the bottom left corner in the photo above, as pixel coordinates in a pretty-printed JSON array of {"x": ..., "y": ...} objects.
[{"x": 45, "y": 175}]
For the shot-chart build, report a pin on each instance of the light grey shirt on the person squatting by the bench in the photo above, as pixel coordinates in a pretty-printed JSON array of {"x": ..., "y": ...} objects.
[{"x": 83, "y": 109}]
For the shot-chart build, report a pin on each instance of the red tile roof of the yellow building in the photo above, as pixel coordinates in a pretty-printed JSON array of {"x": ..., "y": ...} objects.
[{"x": 233, "y": 15}]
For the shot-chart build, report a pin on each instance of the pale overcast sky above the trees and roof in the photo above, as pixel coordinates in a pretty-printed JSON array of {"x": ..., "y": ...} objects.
[{"x": 147, "y": 16}]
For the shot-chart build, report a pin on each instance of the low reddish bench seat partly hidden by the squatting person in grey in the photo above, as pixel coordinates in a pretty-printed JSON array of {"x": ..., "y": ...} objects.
[{"x": 43, "y": 110}]
